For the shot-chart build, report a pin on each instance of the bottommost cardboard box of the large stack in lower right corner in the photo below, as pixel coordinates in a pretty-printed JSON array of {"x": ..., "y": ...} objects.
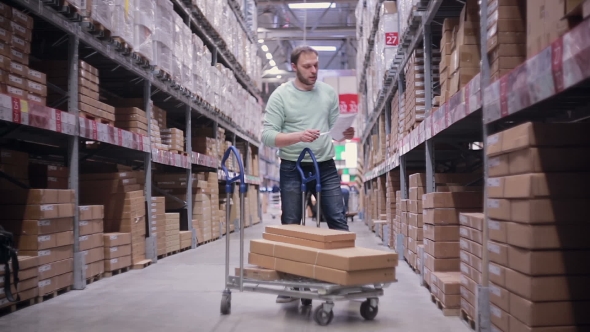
[{"x": 549, "y": 313}]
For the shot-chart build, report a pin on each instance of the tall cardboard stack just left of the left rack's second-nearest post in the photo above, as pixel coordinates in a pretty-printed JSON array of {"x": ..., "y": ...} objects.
[{"x": 124, "y": 204}]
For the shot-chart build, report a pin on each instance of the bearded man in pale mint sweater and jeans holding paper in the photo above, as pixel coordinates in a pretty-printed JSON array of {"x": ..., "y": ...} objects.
[{"x": 296, "y": 113}]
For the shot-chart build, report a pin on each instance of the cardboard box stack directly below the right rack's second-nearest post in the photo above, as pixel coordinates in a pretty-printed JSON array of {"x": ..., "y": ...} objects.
[{"x": 442, "y": 239}]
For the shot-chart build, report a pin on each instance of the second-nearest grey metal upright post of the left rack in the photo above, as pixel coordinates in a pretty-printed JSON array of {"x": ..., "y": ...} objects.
[{"x": 151, "y": 243}]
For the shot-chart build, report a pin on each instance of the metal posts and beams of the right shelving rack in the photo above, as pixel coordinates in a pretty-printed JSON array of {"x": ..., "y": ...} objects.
[{"x": 550, "y": 87}]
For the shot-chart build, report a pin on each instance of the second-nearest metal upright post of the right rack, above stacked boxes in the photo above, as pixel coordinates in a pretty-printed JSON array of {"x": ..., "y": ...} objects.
[{"x": 430, "y": 168}]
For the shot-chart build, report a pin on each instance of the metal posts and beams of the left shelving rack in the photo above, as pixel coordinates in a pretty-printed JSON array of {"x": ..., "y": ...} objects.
[{"x": 62, "y": 135}]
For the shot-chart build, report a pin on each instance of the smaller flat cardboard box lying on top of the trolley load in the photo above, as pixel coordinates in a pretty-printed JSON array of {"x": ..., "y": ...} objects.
[{"x": 309, "y": 233}]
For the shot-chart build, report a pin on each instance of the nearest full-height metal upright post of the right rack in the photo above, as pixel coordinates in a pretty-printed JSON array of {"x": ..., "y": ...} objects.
[{"x": 483, "y": 292}]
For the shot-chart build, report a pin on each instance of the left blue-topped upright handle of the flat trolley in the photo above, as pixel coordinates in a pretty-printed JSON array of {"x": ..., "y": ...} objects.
[{"x": 228, "y": 191}]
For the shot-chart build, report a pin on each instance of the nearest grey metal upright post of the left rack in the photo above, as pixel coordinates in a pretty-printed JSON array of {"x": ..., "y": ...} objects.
[{"x": 73, "y": 159}]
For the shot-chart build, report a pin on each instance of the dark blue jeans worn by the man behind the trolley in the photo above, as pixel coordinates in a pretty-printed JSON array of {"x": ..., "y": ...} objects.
[{"x": 332, "y": 204}]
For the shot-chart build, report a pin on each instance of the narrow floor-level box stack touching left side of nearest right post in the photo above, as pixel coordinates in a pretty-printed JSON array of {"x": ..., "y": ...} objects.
[{"x": 471, "y": 230}]
